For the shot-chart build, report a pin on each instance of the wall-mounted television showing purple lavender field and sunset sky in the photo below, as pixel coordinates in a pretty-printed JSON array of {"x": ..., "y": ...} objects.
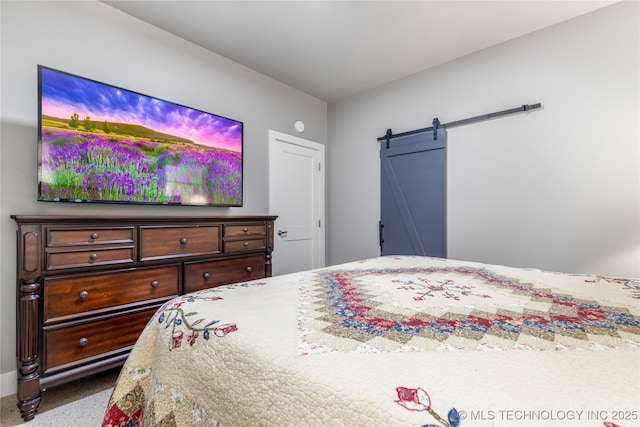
[{"x": 101, "y": 143}]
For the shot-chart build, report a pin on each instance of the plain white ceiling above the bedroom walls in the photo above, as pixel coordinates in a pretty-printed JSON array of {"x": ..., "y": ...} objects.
[{"x": 334, "y": 49}]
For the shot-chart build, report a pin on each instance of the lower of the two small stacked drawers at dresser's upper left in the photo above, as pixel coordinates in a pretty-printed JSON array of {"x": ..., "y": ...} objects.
[{"x": 74, "y": 258}]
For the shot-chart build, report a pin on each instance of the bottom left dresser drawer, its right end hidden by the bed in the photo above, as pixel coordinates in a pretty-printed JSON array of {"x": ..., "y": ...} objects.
[{"x": 74, "y": 344}]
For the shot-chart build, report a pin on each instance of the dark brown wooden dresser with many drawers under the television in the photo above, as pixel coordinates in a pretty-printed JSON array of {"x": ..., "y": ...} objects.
[{"x": 87, "y": 286}]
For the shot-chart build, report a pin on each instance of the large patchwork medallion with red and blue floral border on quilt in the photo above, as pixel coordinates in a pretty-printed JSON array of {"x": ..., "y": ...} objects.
[{"x": 454, "y": 308}]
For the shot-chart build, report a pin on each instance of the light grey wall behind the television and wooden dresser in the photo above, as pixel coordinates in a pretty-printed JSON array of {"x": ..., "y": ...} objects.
[{"x": 96, "y": 41}]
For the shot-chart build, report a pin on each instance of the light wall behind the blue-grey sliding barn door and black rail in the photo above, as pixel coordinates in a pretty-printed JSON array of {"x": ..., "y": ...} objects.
[{"x": 556, "y": 188}]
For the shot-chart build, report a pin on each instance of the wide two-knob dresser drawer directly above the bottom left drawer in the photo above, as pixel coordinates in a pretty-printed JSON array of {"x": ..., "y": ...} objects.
[{"x": 68, "y": 296}]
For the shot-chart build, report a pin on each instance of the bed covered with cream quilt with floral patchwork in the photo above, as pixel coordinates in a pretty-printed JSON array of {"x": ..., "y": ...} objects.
[{"x": 391, "y": 341}]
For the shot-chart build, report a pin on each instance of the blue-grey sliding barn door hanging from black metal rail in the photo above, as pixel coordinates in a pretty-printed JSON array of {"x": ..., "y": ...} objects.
[{"x": 413, "y": 196}]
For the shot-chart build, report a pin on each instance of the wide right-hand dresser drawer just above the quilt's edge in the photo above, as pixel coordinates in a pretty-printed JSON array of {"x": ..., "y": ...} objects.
[{"x": 203, "y": 275}]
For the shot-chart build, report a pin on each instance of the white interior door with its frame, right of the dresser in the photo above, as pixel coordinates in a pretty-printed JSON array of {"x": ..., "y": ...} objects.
[{"x": 296, "y": 195}]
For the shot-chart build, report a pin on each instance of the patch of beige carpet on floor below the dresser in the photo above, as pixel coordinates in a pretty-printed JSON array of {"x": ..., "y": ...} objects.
[{"x": 79, "y": 403}]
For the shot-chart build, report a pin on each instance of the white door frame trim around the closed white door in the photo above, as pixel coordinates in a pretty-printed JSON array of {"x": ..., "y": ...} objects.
[{"x": 319, "y": 198}]
